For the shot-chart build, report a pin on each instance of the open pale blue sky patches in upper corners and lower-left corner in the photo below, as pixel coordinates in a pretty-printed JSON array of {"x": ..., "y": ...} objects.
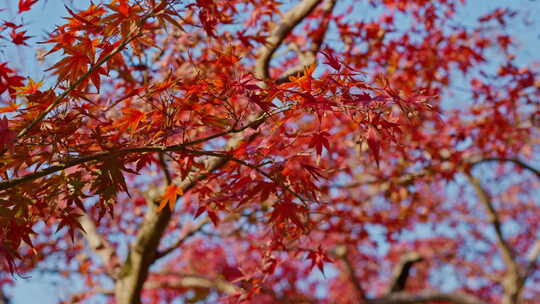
[{"x": 48, "y": 288}]
